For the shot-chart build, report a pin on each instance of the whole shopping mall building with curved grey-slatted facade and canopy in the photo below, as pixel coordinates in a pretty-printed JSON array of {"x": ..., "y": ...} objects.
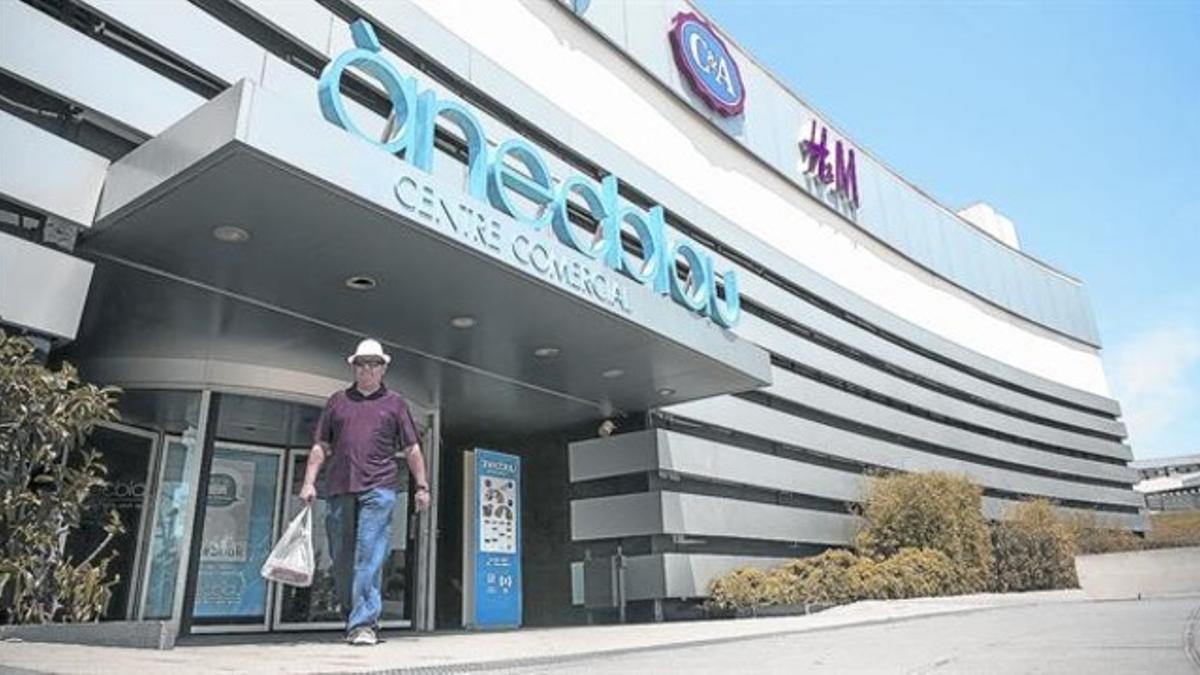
[{"x": 598, "y": 237}]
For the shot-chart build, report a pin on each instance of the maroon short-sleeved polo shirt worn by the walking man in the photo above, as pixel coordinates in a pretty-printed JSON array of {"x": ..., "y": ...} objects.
[{"x": 361, "y": 437}]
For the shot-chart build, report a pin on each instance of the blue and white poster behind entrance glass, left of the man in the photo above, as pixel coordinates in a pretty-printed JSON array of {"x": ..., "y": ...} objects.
[{"x": 238, "y": 534}]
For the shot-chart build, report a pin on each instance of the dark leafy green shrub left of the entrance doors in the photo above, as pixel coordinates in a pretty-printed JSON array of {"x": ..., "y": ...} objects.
[{"x": 47, "y": 476}]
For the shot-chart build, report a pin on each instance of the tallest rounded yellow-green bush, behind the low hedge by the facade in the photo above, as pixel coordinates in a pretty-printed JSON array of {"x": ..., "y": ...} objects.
[{"x": 929, "y": 511}]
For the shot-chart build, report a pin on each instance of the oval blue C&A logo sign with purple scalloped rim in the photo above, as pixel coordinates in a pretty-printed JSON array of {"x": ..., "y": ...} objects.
[{"x": 707, "y": 65}]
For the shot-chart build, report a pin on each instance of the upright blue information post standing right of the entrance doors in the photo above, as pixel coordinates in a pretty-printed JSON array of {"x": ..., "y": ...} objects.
[{"x": 493, "y": 551}]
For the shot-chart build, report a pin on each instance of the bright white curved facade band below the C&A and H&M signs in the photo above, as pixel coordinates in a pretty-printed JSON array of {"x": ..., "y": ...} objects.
[{"x": 634, "y": 120}]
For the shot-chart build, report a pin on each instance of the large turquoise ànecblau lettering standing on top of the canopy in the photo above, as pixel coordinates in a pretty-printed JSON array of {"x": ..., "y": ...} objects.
[{"x": 517, "y": 168}]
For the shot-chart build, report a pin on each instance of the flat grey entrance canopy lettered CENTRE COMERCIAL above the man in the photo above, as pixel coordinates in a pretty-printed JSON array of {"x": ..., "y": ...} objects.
[{"x": 266, "y": 204}]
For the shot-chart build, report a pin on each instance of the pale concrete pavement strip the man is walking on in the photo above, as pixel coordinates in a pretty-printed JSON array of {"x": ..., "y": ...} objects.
[{"x": 448, "y": 653}]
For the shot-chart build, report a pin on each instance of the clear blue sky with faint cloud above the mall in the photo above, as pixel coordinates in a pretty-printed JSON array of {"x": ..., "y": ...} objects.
[{"x": 1081, "y": 122}]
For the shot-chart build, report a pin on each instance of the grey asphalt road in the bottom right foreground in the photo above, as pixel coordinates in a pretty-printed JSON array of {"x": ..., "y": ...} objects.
[{"x": 1143, "y": 637}]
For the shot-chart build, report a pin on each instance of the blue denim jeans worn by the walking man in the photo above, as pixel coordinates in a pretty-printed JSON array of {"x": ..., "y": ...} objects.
[{"x": 359, "y": 528}]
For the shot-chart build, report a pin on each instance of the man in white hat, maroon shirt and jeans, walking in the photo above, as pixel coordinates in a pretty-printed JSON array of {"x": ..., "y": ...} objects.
[{"x": 359, "y": 433}]
